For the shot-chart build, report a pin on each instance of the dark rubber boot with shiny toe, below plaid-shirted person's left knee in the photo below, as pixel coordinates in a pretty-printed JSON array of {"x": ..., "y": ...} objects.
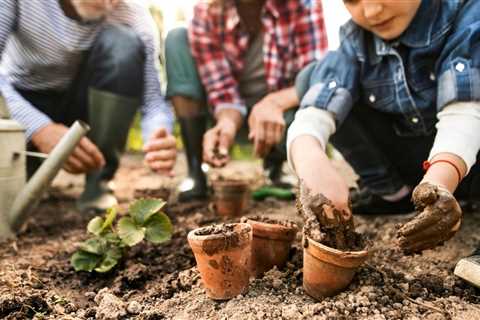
[{"x": 194, "y": 187}]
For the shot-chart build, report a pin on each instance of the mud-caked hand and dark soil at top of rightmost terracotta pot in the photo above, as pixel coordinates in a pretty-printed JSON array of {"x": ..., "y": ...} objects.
[{"x": 326, "y": 224}]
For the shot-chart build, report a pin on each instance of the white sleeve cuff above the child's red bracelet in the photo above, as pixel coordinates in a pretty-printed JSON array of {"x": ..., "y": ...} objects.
[{"x": 458, "y": 132}]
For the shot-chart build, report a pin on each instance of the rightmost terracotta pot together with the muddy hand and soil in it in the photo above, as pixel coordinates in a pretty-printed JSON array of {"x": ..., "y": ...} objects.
[{"x": 333, "y": 251}]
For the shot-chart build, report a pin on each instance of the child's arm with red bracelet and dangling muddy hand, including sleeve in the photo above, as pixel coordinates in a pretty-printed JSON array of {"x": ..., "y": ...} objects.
[{"x": 457, "y": 140}]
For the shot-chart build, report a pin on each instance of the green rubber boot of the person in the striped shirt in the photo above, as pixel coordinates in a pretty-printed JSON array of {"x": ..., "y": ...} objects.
[{"x": 110, "y": 117}]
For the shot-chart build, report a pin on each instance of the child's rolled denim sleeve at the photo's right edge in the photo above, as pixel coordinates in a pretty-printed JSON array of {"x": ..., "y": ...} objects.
[{"x": 459, "y": 64}]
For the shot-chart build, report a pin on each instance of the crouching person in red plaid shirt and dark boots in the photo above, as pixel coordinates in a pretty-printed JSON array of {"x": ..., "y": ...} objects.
[{"x": 240, "y": 58}]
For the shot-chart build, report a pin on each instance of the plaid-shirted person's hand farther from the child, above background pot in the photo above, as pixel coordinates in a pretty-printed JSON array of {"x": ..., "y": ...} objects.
[{"x": 217, "y": 142}]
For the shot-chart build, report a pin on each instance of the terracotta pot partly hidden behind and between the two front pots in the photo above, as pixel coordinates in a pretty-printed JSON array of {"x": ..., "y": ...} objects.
[{"x": 271, "y": 245}]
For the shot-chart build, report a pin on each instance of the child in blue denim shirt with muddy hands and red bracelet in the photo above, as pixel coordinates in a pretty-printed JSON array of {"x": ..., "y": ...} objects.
[{"x": 403, "y": 87}]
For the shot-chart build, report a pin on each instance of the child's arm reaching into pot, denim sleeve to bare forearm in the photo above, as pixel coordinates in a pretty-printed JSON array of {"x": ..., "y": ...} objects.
[{"x": 325, "y": 103}]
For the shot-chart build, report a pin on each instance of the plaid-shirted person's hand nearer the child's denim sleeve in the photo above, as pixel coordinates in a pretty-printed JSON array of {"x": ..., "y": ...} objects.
[{"x": 266, "y": 125}]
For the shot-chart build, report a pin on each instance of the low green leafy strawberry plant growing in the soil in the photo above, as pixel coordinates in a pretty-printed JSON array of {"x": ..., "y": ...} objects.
[{"x": 109, "y": 243}]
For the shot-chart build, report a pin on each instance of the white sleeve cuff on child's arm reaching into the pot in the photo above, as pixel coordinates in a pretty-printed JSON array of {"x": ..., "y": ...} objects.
[{"x": 310, "y": 121}]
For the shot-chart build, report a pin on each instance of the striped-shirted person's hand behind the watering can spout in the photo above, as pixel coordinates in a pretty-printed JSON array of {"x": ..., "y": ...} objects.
[{"x": 86, "y": 157}]
